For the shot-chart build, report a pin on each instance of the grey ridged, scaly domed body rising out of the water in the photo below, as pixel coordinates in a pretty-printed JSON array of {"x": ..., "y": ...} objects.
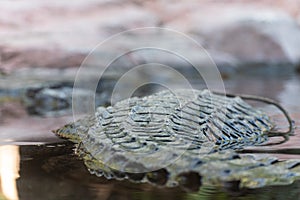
[{"x": 166, "y": 135}]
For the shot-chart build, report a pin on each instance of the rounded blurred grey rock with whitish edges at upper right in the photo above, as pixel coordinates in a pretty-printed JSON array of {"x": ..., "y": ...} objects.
[{"x": 267, "y": 37}]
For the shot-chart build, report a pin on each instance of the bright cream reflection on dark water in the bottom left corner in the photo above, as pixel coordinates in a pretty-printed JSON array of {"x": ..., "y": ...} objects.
[{"x": 9, "y": 170}]
